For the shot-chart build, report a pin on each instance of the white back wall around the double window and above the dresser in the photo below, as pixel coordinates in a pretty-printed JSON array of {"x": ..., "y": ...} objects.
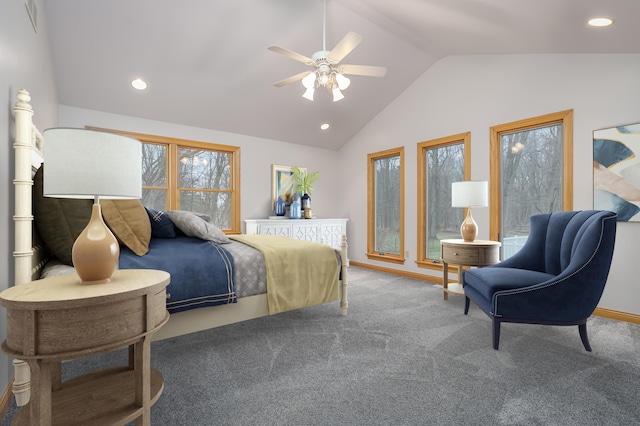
[{"x": 256, "y": 154}]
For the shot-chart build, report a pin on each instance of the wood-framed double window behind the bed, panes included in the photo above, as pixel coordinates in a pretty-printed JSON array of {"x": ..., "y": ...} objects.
[{"x": 195, "y": 176}]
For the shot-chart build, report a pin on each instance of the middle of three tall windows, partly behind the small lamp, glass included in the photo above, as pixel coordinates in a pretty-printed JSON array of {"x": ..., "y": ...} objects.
[{"x": 440, "y": 163}]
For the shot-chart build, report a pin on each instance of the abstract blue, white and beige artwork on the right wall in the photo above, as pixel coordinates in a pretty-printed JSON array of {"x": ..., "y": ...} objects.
[{"x": 616, "y": 171}]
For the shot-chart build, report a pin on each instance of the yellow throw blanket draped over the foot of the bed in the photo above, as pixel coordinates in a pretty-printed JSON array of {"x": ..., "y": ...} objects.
[{"x": 299, "y": 273}]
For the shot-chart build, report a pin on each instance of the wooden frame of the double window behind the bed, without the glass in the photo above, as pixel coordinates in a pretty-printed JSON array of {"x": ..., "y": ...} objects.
[{"x": 173, "y": 190}]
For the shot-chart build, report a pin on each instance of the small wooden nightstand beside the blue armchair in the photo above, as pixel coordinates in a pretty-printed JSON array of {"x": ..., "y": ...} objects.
[{"x": 477, "y": 253}]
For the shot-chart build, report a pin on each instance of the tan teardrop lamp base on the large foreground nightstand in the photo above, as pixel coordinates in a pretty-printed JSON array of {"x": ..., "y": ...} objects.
[{"x": 96, "y": 251}]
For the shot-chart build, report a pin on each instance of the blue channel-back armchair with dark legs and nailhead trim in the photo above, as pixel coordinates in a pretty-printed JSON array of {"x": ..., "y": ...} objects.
[{"x": 557, "y": 277}]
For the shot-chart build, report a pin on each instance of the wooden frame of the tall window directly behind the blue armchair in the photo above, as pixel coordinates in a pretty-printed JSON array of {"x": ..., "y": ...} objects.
[{"x": 495, "y": 203}]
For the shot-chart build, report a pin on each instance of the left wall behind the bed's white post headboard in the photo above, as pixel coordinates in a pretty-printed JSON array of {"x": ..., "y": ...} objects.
[{"x": 25, "y": 62}]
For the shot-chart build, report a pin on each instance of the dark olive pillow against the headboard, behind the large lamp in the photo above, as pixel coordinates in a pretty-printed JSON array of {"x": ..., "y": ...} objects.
[{"x": 59, "y": 220}]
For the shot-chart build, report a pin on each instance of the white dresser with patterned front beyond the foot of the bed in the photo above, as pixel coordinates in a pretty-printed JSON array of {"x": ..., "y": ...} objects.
[{"x": 327, "y": 231}]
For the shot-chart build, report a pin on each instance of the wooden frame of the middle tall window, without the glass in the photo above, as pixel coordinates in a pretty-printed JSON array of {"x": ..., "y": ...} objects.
[{"x": 421, "y": 260}]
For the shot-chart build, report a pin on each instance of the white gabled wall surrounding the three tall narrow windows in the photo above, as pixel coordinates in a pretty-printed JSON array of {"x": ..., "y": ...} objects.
[{"x": 473, "y": 93}]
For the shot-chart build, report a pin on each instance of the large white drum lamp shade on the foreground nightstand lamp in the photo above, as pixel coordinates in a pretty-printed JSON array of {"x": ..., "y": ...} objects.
[{"x": 82, "y": 163}]
